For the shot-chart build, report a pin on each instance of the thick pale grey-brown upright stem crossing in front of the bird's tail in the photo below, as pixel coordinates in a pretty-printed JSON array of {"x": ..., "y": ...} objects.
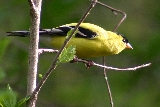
[{"x": 33, "y": 50}]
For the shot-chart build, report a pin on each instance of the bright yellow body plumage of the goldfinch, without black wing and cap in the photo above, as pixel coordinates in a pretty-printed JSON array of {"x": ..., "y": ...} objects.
[{"x": 105, "y": 43}]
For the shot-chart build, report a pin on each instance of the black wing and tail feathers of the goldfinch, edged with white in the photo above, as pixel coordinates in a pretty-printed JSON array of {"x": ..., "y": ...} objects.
[{"x": 59, "y": 31}]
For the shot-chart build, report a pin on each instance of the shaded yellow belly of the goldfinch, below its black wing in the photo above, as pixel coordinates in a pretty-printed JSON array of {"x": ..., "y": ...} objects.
[{"x": 85, "y": 48}]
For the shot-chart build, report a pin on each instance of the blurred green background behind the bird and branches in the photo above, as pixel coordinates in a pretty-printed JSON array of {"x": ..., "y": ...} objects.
[{"x": 71, "y": 84}]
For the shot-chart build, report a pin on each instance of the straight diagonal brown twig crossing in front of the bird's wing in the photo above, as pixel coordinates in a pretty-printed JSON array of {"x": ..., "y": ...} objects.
[{"x": 54, "y": 64}]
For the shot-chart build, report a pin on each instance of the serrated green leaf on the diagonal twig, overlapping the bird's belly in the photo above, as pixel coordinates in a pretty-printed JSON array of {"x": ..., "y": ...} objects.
[{"x": 67, "y": 54}]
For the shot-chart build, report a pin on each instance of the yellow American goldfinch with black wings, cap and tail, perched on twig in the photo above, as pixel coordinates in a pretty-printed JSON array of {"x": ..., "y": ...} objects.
[{"x": 90, "y": 40}]
